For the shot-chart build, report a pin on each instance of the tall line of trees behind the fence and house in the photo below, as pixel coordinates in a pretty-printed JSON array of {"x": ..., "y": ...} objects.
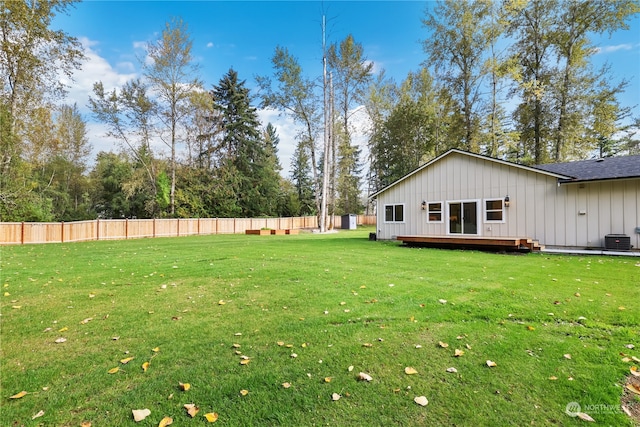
[{"x": 511, "y": 79}]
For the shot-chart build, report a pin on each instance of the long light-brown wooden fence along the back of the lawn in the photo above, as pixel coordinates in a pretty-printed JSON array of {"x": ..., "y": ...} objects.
[{"x": 16, "y": 233}]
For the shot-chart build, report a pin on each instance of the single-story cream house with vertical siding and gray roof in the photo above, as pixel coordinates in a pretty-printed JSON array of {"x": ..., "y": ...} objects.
[{"x": 565, "y": 205}]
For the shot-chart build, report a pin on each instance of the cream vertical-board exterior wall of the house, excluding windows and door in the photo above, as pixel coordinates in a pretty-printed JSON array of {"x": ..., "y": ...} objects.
[{"x": 571, "y": 215}]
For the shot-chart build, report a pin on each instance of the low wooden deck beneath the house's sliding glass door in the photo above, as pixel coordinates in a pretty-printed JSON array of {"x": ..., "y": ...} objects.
[{"x": 509, "y": 244}]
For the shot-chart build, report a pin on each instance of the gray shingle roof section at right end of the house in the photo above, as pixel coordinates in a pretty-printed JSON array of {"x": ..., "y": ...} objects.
[{"x": 597, "y": 169}]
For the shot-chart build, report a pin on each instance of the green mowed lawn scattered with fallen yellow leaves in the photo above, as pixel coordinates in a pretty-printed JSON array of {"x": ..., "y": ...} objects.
[{"x": 335, "y": 301}]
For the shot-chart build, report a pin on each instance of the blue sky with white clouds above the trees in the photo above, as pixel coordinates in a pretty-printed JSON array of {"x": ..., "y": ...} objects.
[{"x": 243, "y": 35}]
